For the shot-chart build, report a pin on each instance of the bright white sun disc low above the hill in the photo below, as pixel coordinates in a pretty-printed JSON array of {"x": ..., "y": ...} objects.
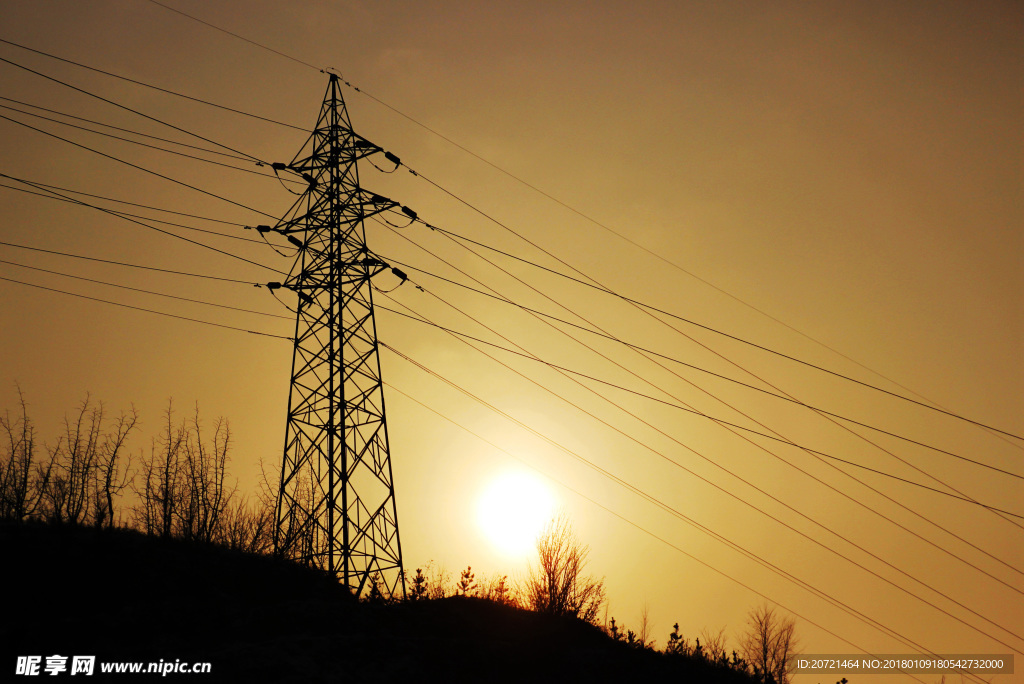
[{"x": 514, "y": 510}]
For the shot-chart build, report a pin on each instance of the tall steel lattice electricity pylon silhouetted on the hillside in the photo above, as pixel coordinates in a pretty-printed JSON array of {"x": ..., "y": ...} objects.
[{"x": 336, "y": 507}]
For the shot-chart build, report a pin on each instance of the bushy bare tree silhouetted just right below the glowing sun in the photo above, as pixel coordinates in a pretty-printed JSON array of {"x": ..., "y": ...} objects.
[{"x": 559, "y": 586}]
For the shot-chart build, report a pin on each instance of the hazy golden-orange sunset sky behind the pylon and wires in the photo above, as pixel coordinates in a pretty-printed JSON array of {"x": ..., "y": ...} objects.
[{"x": 851, "y": 169}]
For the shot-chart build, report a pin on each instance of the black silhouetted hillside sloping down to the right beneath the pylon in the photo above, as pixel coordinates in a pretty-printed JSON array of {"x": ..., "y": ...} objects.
[{"x": 122, "y": 596}]
